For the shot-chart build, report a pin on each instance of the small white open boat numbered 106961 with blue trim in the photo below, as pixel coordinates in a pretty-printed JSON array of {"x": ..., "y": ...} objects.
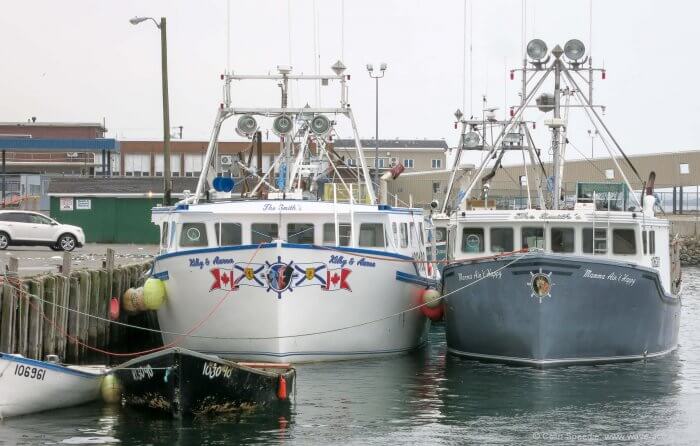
[{"x": 29, "y": 386}]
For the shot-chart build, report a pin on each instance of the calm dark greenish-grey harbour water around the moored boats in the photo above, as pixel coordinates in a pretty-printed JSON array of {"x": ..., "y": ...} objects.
[{"x": 427, "y": 397}]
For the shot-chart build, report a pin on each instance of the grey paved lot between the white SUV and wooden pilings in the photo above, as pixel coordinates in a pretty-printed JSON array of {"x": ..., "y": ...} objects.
[{"x": 37, "y": 259}]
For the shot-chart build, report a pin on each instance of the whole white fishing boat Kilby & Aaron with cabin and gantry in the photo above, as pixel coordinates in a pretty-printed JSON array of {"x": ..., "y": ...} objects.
[{"x": 316, "y": 269}]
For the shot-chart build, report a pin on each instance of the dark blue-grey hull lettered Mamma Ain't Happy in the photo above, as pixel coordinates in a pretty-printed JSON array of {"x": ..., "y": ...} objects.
[{"x": 550, "y": 309}]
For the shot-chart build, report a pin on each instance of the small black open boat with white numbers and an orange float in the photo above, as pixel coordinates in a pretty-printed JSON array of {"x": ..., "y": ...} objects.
[{"x": 183, "y": 382}]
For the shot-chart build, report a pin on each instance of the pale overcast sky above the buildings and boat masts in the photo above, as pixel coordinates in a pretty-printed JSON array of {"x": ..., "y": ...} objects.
[{"x": 83, "y": 61}]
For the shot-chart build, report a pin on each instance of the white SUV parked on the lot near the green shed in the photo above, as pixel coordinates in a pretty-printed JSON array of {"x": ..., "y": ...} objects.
[{"x": 32, "y": 228}]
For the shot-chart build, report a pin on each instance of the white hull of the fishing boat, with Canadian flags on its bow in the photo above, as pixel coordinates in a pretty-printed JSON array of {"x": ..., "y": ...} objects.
[{"x": 377, "y": 287}]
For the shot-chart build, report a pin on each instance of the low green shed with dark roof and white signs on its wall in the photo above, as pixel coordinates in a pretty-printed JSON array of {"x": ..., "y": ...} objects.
[{"x": 111, "y": 210}]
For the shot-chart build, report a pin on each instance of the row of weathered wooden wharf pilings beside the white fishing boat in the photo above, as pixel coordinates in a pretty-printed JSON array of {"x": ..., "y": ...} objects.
[{"x": 47, "y": 314}]
